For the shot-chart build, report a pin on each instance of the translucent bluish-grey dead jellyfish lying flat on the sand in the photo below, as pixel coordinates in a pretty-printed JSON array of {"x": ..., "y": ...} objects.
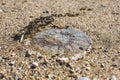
[{"x": 62, "y": 41}]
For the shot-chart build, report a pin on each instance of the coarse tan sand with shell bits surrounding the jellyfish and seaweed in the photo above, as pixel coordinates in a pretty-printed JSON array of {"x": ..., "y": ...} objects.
[{"x": 99, "y": 19}]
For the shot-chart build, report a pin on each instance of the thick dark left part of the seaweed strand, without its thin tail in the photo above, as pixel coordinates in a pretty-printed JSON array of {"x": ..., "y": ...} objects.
[{"x": 33, "y": 27}]
